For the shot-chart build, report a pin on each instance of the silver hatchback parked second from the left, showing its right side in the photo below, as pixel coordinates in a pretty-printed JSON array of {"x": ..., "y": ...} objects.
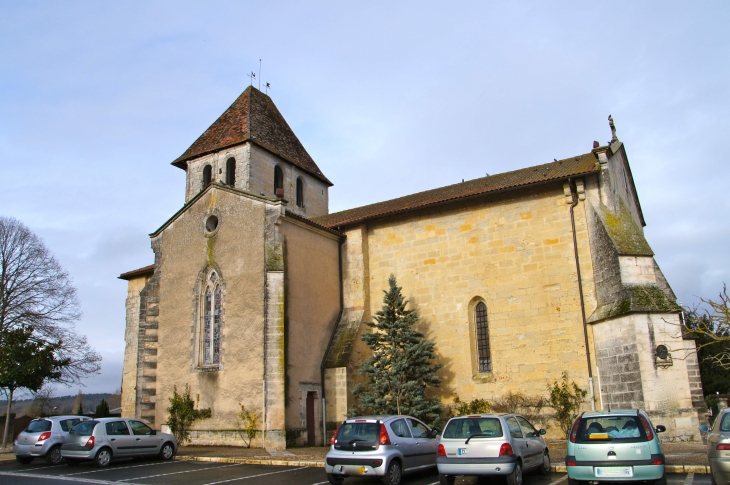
[{"x": 104, "y": 439}]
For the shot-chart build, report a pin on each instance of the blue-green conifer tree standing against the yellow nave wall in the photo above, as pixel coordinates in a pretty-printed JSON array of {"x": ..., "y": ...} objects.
[{"x": 400, "y": 369}]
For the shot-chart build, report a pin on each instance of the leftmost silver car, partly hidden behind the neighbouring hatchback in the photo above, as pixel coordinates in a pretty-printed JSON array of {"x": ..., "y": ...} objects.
[{"x": 43, "y": 439}]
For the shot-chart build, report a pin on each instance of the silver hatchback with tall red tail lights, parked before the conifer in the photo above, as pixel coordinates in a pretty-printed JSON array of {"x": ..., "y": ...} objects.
[{"x": 381, "y": 446}]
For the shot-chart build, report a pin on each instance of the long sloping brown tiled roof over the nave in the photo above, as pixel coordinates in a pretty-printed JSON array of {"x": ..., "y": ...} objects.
[{"x": 554, "y": 171}]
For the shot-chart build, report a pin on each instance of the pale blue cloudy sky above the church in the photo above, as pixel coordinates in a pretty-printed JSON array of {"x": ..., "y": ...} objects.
[{"x": 389, "y": 98}]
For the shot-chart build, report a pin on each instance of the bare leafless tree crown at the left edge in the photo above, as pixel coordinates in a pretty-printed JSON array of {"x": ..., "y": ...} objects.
[{"x": 36, "y": 291}]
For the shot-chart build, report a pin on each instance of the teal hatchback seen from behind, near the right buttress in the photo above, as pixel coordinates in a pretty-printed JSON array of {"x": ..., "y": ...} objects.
[{"x": 615, "y": 446}]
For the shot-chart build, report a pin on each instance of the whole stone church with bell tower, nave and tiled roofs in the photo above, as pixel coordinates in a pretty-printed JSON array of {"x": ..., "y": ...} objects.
[{"x": 258, "y": 294}]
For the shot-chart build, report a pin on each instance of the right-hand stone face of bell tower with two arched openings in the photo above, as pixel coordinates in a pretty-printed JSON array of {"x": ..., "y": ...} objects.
[{"x": 316, "y": 198}]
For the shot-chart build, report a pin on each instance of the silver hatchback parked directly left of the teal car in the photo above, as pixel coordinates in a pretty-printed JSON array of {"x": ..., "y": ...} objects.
[{"x": 491, "y": 444}]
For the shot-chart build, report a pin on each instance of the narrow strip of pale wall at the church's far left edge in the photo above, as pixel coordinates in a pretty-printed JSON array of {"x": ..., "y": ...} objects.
[{"x": 131, "y": 349}]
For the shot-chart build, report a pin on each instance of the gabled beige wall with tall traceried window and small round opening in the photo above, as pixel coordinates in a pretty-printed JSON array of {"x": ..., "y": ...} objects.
[{"x": 236, "y": 251}]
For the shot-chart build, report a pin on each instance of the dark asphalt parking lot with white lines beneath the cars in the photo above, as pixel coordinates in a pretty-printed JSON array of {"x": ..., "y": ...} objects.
[{"x": 202, "y": 473}]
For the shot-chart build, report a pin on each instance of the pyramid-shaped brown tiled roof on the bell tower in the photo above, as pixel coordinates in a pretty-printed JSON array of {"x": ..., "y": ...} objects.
[{"x": 253, "y": 117}]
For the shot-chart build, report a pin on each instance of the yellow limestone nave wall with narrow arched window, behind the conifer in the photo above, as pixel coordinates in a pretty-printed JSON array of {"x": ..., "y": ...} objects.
[{"x": 514, "y": 252}]
